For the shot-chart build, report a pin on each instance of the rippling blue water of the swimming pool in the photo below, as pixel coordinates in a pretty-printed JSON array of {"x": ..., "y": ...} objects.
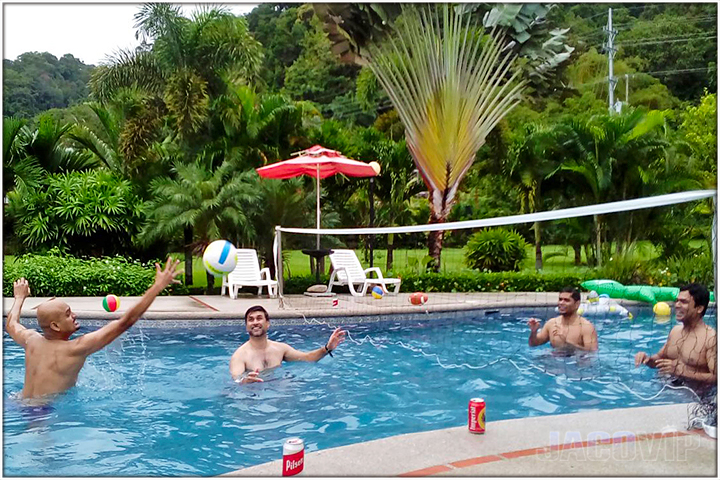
[{"x": 160, "y": 402}]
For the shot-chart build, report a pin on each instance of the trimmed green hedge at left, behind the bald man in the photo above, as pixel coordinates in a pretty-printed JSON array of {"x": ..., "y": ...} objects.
[{"x": 68, "y": 276}]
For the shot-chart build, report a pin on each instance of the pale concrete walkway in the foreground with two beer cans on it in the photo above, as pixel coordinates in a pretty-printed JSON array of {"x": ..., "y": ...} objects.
[{"x": 625, "y": 442}]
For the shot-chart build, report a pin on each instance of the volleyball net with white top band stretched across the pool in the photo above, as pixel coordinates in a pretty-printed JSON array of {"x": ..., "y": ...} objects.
[{"x": 471, "y": 311}]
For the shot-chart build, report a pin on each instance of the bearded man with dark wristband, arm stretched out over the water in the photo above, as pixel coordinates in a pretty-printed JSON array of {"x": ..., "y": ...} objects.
[{"x": 259, "y": 353}]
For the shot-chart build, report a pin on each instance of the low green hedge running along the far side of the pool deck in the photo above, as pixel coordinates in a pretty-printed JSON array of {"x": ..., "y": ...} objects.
[{"x": 66, "y": 276}]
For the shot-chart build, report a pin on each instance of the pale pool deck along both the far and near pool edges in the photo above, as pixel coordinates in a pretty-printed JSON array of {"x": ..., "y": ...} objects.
[{"x": 645, "y": 441}]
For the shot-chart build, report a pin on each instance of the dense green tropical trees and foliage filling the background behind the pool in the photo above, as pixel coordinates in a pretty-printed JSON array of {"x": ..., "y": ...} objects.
[{"x": 473, "y": 111}]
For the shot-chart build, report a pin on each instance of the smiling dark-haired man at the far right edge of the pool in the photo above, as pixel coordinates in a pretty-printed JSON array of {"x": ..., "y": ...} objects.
[{"x": 690, "y": 351}]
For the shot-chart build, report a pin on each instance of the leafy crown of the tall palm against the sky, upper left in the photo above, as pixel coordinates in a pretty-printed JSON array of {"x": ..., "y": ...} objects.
[{"x": 185, "y": 64}]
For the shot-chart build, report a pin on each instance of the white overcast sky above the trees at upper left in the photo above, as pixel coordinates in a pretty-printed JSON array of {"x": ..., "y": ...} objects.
[{"x": 89, "y": 31}]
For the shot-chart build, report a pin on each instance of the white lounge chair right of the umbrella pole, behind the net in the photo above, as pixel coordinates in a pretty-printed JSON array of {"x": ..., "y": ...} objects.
[{"x": 348, "y": 271}]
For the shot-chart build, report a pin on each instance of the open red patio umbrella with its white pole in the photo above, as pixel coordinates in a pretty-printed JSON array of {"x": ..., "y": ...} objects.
[{"x": 319, "y": 162}]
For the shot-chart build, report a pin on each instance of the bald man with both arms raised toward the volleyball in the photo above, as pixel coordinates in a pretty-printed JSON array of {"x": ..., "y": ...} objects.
[{"x": 52, "y": 360}]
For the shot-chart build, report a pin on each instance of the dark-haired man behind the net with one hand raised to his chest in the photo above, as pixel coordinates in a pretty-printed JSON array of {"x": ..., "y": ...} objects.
[{"x": 567, "y": 331}]
